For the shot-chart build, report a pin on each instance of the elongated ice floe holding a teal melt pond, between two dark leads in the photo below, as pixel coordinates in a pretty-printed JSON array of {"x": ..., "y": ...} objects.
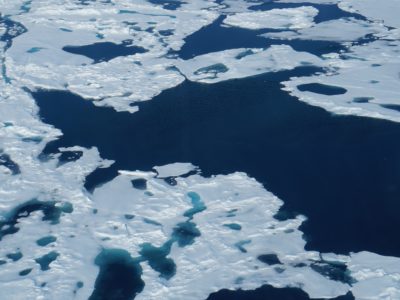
[{"x": 239, "y": 63}]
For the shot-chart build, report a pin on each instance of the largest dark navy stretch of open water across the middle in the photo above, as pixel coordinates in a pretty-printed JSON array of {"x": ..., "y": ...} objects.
[{"x": 342, "y": 172}]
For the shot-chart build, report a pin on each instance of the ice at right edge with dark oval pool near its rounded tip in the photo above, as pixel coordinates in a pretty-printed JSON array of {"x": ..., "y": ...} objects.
[{"x": 368, "y": 73}]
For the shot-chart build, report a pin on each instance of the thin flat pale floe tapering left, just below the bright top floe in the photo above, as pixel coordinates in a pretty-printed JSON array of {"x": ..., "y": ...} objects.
[{"x": 350, "y": 30}]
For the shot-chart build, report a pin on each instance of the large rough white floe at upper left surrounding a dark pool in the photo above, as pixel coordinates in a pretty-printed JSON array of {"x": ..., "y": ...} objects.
[{"x": 37, "y": 60}]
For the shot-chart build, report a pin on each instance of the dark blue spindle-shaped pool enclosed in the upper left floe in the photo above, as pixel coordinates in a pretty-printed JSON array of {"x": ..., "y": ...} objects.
[{"x": 105, "y": 51}]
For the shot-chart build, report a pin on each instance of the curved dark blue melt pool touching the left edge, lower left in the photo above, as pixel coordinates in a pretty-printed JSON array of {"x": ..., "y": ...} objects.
[{"x": 51, "y": 210}]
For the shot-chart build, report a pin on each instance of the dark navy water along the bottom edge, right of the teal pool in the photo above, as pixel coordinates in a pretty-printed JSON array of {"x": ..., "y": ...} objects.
[{"x": 268, "y": 292}]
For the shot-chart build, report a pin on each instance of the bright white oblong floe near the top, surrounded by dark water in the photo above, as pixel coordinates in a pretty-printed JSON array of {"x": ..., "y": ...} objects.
[{"x": 286, "y": 18}]
